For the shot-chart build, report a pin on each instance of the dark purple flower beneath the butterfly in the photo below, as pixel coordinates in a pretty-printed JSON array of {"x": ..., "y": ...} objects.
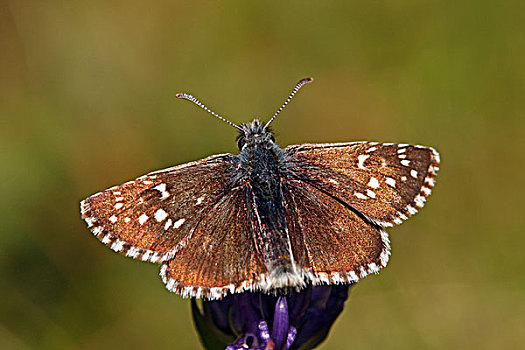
[{"x": 294, "y": 320}]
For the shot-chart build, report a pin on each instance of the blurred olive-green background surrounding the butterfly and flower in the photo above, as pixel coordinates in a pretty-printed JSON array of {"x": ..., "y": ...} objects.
[{"x": 87, "y": 102}]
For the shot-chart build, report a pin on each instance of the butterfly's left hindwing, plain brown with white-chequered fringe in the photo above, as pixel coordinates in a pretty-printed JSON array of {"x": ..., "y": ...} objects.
[{"x": 221, "y": 256}]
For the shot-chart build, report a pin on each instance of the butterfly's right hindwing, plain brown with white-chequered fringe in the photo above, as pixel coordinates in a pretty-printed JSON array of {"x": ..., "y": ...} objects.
[{"x": 329, "y": 240}]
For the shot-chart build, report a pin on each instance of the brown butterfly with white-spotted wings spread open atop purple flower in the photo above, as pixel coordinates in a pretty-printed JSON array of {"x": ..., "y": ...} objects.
[{"x": 267, "y": 218}]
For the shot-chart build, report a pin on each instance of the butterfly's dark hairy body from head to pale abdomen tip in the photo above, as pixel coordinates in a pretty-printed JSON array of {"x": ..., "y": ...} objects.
[{"x": 263, "y": 165}]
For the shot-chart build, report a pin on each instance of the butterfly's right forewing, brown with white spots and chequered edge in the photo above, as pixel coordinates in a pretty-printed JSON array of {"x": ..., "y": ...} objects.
[{"x": 385, "y": 182}]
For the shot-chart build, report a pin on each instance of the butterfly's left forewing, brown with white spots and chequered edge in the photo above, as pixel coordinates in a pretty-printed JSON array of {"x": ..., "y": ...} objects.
[{"x": 152, "y": 217}]
